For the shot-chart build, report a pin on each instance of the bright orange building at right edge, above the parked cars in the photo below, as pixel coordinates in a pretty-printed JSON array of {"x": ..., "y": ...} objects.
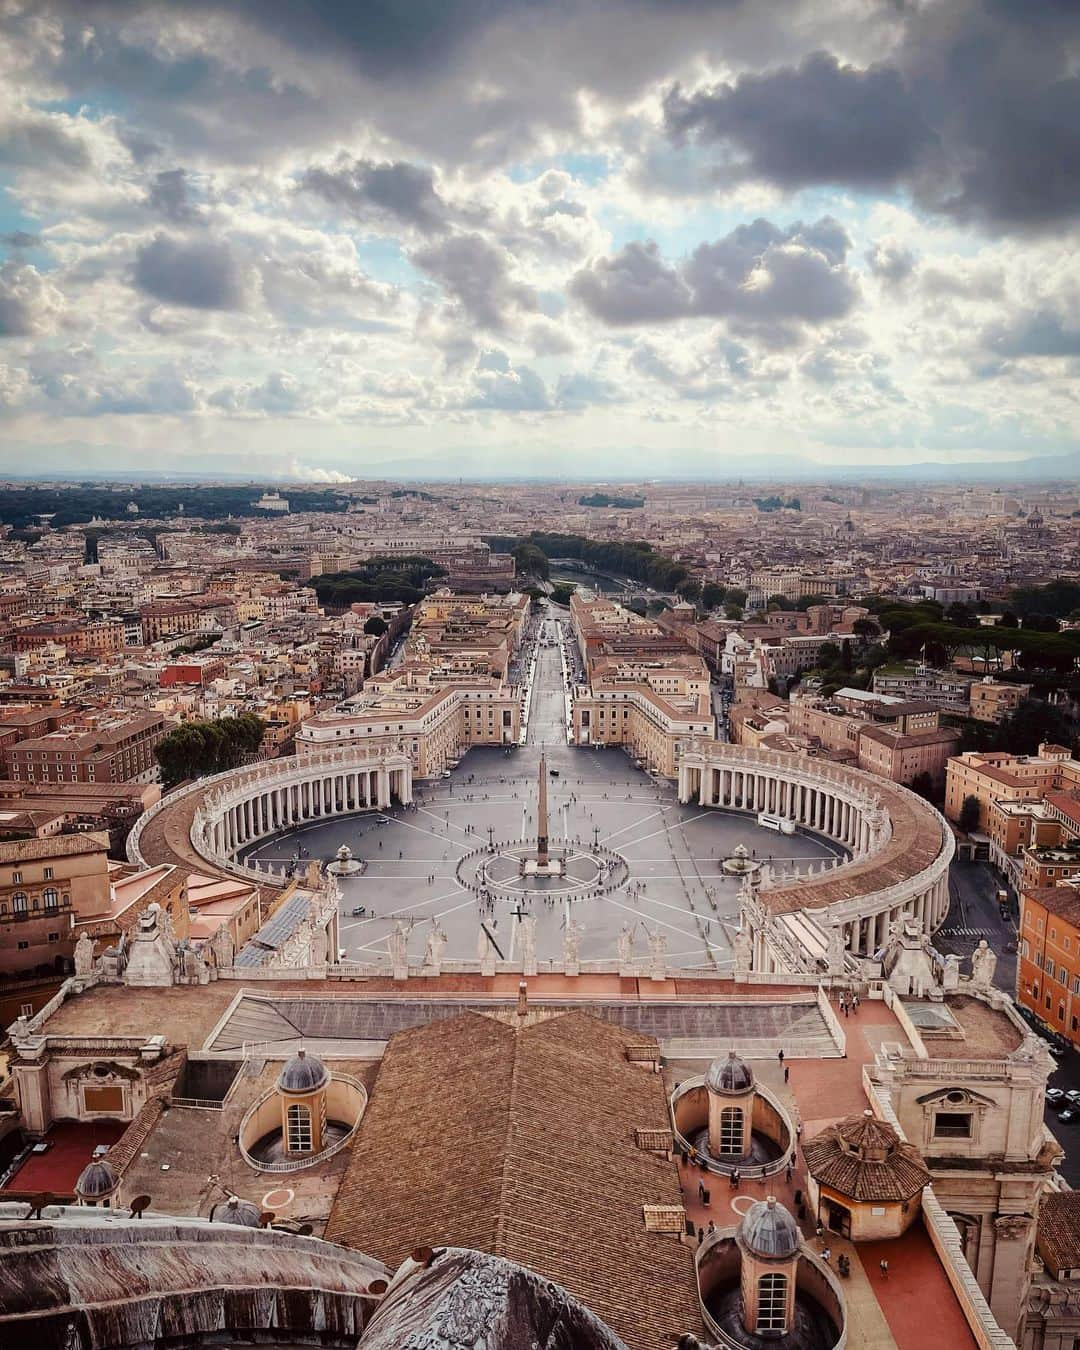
[{"x": 1048, "y": 971}]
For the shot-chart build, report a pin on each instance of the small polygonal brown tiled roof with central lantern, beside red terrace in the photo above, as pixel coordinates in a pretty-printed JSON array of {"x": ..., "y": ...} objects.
[{"x": 863, "y": 1158}]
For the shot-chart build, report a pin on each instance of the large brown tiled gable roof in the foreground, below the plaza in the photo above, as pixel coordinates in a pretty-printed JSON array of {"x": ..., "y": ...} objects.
[{"x": 522, "y": 1144}]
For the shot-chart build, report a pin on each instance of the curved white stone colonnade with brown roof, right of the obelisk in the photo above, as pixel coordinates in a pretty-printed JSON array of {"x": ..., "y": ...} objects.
[{"x": 901, "y": 850}]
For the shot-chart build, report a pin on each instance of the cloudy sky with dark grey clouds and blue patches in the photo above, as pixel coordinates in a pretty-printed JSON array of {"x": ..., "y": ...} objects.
[{"x": 595, "y": 237}]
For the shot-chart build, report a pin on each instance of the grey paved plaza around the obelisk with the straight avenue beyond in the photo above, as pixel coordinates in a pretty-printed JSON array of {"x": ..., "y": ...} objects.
[{"x": 668, "y": 877}]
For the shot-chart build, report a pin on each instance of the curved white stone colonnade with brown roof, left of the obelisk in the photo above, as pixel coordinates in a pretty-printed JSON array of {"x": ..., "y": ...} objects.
[{"x": 213, "y": 820}]
